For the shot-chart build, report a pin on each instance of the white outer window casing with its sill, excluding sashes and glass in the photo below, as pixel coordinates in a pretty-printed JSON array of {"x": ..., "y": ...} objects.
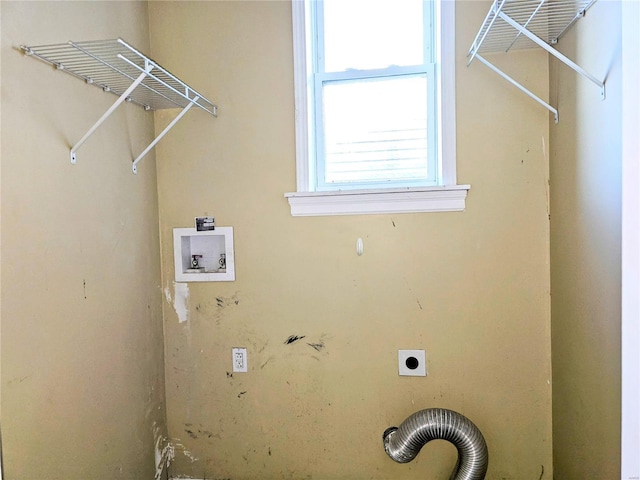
[{"x": 447, "y": 196}]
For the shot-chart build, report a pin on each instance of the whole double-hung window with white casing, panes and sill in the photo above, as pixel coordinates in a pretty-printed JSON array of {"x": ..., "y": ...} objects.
[{"x": 375, "y": 112}]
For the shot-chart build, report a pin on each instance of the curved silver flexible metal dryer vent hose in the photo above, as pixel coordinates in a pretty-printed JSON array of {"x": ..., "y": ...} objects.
[{"x": 403, "y": 443}]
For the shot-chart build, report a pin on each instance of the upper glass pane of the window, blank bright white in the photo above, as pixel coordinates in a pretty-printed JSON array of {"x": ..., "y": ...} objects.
[{"x": 370, "y": 34}]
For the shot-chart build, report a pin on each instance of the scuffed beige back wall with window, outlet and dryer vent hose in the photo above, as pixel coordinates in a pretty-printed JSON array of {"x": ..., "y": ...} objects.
[{"x": 470, "y": 288}]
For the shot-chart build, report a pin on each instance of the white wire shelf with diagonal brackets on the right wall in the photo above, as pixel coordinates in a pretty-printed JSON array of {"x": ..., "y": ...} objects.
[{"x": 521, "y": 24}]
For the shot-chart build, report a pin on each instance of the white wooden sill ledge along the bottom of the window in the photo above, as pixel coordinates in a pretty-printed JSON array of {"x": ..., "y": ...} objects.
[{"x": 360, "y": 202}]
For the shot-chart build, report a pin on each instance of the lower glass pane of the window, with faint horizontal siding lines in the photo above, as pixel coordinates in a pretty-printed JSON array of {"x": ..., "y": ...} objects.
[{"x": 376, "y": 130}]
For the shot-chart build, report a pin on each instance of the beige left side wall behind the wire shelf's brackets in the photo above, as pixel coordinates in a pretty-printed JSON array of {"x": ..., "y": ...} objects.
[{"x": 82, "y": 352}]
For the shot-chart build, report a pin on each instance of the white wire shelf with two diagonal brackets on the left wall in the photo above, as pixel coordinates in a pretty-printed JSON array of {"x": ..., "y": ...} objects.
[{"x": 118, "y": 68}]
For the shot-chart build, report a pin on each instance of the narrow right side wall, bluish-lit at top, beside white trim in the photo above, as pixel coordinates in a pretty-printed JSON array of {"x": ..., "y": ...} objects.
[{"x": 585, "y": 250}]
